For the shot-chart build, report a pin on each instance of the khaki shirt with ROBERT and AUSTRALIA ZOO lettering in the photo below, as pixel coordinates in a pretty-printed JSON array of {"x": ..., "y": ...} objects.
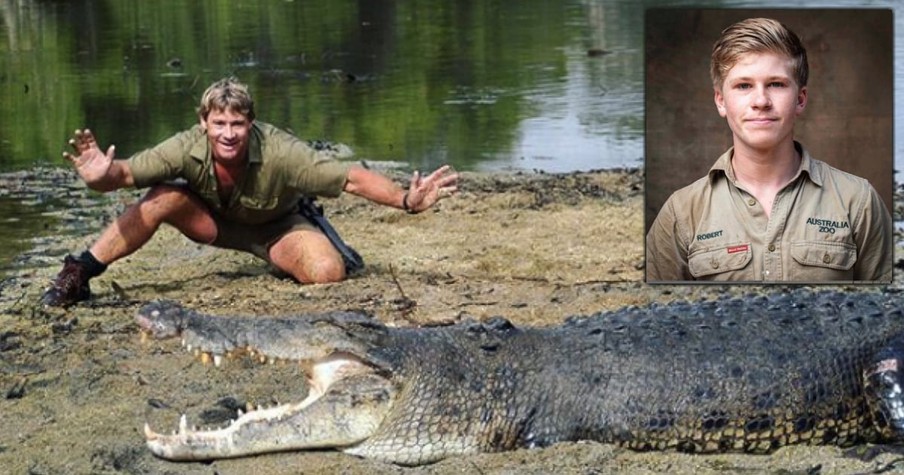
[{"x": 826, "y": 225}]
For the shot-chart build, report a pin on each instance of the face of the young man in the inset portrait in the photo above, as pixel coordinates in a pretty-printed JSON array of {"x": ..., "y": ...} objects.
[{"x": 760, "y": 99}]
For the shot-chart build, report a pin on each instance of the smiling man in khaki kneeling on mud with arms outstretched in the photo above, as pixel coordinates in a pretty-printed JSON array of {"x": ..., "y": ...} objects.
[{"x": 243, "y": 180}]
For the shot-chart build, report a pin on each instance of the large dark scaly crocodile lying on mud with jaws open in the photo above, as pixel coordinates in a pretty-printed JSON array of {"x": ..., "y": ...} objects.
[{"x": 746, "y": 374}]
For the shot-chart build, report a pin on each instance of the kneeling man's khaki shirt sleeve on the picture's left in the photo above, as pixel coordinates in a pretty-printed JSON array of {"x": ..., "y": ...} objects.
[{"x": 164, "y": 161}]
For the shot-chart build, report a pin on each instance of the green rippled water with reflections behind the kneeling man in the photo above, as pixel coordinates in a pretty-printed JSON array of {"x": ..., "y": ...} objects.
[{"x": 478, "y": 84}]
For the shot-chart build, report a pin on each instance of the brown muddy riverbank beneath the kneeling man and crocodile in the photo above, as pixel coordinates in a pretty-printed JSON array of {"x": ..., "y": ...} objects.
[{"x": 77, "y": 385}]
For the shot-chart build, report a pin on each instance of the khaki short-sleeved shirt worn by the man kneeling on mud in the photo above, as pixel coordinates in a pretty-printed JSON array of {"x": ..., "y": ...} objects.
[{"x": 281, "y": 168}]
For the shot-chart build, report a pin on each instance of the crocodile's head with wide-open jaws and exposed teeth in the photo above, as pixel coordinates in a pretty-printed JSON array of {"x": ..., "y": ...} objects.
[{"x": 350, "y": 390}]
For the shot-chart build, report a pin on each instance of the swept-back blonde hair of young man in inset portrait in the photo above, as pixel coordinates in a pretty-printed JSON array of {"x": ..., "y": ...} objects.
[{"x": 757, "y": 35}]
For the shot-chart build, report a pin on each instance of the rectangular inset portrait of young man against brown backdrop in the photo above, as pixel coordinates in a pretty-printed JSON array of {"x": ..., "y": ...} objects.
[{"x": 769, "y": 145}]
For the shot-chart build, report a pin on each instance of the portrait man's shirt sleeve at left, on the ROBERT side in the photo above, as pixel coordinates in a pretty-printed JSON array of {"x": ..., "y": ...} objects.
[{"x": 666, "y": 255}]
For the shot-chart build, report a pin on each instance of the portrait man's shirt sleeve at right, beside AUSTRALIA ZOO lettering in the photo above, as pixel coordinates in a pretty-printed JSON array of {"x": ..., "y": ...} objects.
[{"x": 874, "y": 237}]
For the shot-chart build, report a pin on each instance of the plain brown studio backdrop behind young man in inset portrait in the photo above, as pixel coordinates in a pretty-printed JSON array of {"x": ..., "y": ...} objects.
[{"x": 848, "y": 122}]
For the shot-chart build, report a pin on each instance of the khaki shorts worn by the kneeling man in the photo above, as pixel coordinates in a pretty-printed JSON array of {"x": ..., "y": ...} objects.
[{"x": 257, "y": 238}]
